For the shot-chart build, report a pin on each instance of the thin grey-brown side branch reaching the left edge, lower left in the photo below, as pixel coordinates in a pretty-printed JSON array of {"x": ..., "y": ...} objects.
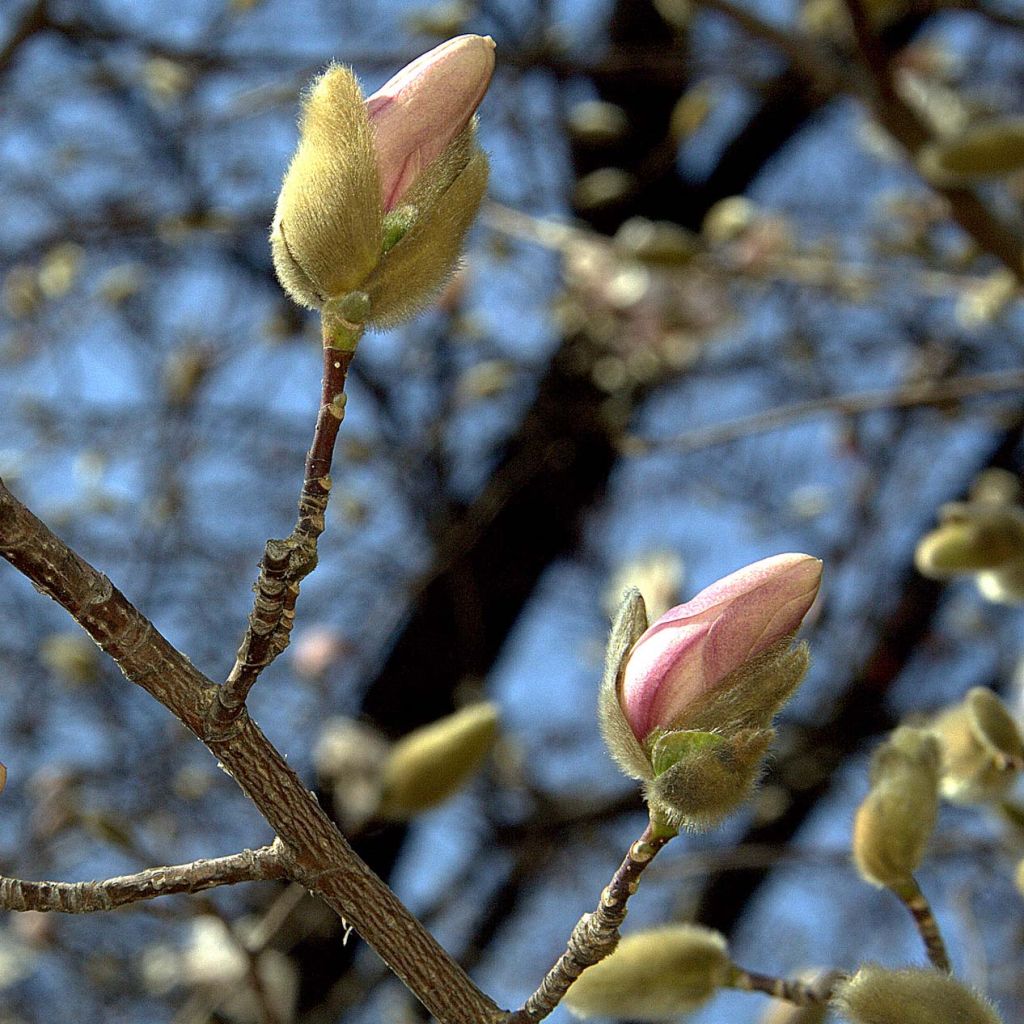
[{"x": 89, "y": 898}]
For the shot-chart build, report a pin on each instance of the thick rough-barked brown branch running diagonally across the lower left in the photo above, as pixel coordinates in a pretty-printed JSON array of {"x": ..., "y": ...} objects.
[{"x": 313, "y": 850}]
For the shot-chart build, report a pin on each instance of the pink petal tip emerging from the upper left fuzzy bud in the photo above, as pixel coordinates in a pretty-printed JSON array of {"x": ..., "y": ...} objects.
[{"x": 418, "y": 114}]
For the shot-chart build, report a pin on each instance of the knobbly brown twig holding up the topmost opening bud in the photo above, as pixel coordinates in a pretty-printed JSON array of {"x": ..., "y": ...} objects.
[{"x": 286, "y": 564}]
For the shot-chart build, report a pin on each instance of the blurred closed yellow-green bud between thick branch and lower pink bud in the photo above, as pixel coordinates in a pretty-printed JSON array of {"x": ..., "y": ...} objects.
[{"x": 431, "y": 764}]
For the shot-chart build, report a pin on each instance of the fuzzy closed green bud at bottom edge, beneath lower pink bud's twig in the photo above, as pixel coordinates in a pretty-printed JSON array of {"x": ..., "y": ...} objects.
[{"x": 655, "y": 975}]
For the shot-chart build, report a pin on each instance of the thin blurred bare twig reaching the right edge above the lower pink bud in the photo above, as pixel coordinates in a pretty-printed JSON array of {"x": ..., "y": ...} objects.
[{"x": 924, "y": 394}]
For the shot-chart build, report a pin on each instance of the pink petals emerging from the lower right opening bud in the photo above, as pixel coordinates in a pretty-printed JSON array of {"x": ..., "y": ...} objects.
[{"x": 694, "y": 648}]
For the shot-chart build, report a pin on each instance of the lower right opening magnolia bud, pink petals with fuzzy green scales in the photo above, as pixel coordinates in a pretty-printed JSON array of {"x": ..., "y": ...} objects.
[{"x": 688, "y": 706}]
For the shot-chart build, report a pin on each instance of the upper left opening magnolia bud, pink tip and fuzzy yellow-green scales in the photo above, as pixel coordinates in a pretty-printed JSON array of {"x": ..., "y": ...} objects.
[{"x": 380, "y": 194}]
